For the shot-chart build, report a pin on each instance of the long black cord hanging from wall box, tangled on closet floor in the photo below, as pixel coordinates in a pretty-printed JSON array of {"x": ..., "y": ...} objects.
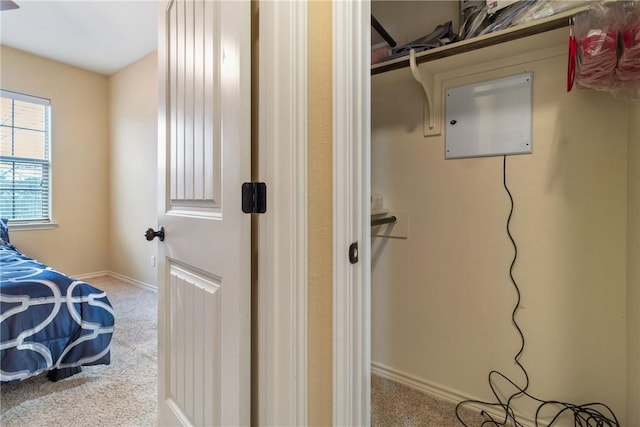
[{"x": 586, "y": 415}]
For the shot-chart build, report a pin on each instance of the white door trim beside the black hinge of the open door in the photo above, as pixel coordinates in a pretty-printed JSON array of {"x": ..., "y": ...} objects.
[{"x": 282, "y": 235}]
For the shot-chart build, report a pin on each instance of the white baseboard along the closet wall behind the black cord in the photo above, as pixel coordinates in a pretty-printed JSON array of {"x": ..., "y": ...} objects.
[{"x": 442, "y": 392}]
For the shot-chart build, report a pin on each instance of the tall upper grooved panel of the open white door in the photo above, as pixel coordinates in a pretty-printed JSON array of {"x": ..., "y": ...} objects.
[{"x": 193, "y": 79}]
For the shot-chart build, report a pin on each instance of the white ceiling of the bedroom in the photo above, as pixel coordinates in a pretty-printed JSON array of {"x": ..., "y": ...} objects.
[{"x": 103, "y": 36}]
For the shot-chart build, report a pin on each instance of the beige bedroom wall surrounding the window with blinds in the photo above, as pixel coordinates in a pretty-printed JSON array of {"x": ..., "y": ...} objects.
[{"x": 80, "y": 161}]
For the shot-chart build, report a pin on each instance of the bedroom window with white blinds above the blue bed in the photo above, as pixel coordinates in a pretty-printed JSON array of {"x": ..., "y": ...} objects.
[{"x": 24, "y": 157}]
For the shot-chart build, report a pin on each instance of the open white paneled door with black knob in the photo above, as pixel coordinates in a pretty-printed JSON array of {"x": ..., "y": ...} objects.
[{"x": 204, "y": 260}]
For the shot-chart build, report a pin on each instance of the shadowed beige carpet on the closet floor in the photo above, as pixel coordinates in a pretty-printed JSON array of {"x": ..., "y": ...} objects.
[{"x": 396, "y": 405}]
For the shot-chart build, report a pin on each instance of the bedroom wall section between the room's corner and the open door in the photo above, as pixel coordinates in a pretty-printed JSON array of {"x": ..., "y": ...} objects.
[{"x": 133, "y": 169}]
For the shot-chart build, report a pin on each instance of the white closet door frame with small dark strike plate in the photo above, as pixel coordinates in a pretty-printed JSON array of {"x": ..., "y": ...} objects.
[{"x": 351, "y": 212}]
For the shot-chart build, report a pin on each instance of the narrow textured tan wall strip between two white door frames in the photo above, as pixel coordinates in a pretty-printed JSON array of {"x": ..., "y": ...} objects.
[{"x": 320, "y": 137}]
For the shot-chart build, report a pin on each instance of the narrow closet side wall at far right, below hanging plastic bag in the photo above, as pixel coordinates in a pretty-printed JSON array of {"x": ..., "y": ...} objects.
[{"x": 633, "y": 268}]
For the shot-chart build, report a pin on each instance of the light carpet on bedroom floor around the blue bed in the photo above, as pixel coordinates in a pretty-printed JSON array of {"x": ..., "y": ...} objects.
[{"x": 120, "y": 394}]
